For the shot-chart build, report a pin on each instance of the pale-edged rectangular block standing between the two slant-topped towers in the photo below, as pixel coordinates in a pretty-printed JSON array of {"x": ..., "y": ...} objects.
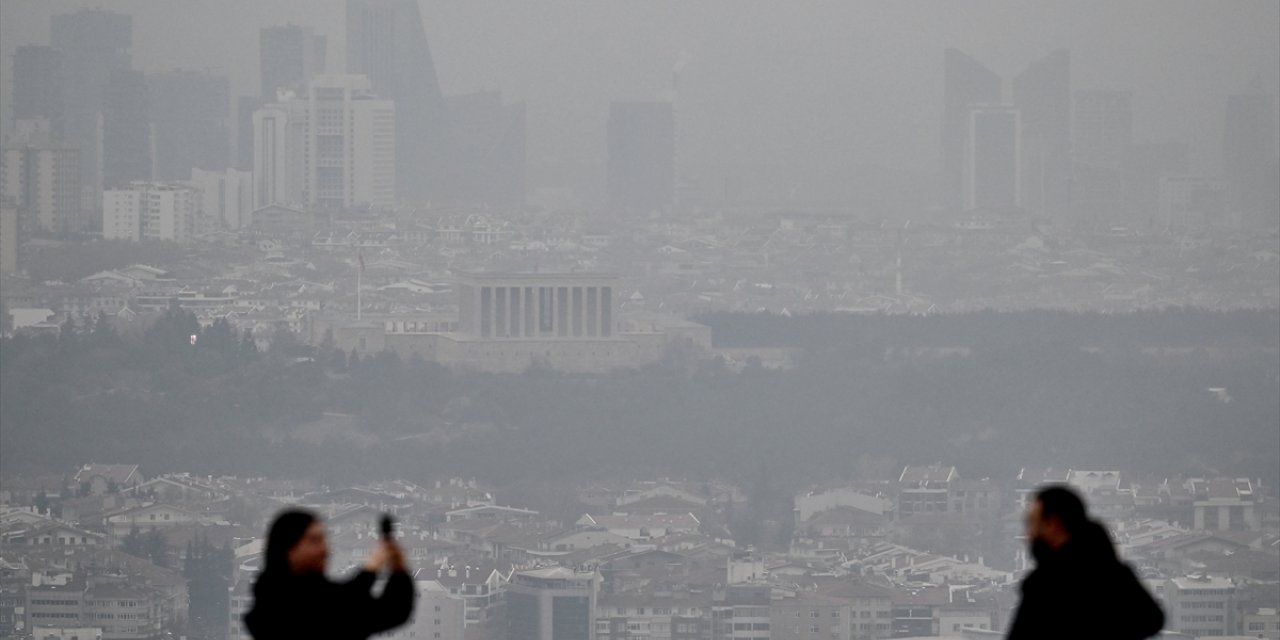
[{"x": 993, "y": 158}]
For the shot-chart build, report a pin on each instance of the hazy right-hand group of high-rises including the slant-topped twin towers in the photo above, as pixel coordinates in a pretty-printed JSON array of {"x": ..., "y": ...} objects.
[{"x": 1072, "y": 156}]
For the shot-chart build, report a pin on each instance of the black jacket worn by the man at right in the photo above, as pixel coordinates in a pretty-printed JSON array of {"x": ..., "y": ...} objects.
[{"x": 1084, "y": 591}]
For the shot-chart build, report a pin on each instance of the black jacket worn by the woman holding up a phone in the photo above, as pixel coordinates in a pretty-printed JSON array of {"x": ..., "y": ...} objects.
[{"x": 289, "y": 606}]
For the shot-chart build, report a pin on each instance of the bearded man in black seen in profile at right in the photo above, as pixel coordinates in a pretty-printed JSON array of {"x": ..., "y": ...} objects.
[{"x": 1080, "y": 587}]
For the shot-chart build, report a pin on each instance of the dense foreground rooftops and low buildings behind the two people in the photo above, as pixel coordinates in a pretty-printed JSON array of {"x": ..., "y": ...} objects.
[{"x": 924, "y": 555}]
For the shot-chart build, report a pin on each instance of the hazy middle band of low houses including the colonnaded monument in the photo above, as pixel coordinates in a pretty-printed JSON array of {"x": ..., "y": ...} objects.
[{"x": 403, "y": 282}]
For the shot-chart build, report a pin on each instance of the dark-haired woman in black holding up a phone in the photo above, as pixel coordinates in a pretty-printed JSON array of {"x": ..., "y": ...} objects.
[{"x": 292, "y": 597}]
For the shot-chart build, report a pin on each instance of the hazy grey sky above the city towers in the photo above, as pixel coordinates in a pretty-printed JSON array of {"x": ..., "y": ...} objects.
[{"x": 803, "y": 84}]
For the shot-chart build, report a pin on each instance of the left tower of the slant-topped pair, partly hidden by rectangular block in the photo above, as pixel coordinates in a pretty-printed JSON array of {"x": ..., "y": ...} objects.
[{"x": 966, "y": 83}]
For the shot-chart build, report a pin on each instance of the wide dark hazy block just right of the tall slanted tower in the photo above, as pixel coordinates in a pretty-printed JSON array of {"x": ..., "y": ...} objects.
[{"x": 488, "y": 143}]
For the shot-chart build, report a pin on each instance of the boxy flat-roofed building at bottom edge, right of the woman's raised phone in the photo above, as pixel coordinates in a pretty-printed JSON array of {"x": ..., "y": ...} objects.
[{"x": 554, "y": 604}]
